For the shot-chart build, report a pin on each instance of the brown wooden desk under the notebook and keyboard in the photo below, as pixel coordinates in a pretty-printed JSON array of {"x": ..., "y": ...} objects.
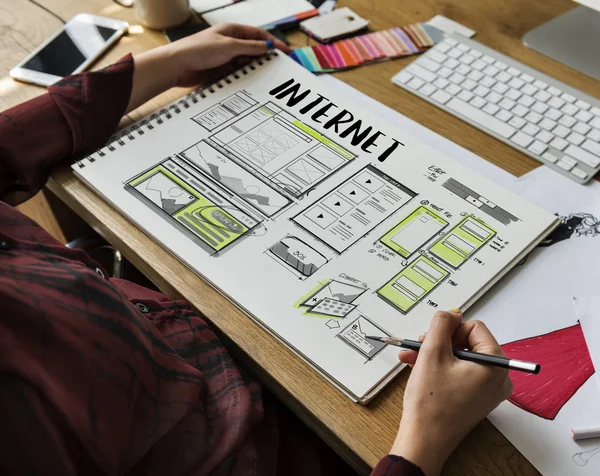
[{"x": 362, "y": 435}]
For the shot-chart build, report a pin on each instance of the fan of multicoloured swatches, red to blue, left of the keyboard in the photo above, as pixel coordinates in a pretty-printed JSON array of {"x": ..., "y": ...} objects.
[{"x": 359, "y": 50}]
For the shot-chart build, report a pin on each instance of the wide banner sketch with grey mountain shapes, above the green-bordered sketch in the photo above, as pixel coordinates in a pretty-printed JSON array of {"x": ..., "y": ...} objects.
[{"x": 236, "y": 179}]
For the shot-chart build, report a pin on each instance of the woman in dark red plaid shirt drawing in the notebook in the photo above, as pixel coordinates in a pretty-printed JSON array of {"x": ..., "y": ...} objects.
[{"x": 102, "y": 376}]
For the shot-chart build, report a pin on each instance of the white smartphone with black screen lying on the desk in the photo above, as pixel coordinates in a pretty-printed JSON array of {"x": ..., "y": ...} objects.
[{"x": 70, "y": 50}]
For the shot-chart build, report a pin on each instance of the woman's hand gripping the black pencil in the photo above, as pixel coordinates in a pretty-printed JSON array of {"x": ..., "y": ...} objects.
[{"x": 446, "y": 397}]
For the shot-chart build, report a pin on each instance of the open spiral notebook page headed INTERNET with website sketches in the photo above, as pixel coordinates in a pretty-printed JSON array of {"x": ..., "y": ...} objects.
[{"x": 323, "y": 222}]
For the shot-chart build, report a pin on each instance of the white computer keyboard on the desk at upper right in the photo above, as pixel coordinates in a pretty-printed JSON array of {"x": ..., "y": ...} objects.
[{"x": 534, "y": 113}]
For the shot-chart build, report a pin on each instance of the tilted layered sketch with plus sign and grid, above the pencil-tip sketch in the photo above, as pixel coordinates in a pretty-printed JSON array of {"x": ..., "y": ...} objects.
[{"x": 330, "y": 299}]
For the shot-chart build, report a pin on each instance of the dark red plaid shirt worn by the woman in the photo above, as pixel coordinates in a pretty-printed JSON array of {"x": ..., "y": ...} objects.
[{"x": 100, "y": 375}]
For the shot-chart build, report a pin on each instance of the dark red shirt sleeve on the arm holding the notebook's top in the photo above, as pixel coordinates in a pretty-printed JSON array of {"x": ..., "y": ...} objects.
[{"x": 75, "y": 117}]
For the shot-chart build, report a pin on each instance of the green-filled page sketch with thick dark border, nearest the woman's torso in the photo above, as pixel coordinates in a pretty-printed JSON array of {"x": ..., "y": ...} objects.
[{"x": 195, "y": 208}]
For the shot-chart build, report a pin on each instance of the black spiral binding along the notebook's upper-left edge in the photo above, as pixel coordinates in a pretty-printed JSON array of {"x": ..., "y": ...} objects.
[{"x": 157, "y": 118}]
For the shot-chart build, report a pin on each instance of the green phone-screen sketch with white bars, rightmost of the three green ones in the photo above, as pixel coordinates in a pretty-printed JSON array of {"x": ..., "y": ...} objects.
[{"x": 463, "y": 241}]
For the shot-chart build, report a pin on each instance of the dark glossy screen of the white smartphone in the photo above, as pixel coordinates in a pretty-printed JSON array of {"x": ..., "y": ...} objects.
[{"x": 77, "y": 42}]
